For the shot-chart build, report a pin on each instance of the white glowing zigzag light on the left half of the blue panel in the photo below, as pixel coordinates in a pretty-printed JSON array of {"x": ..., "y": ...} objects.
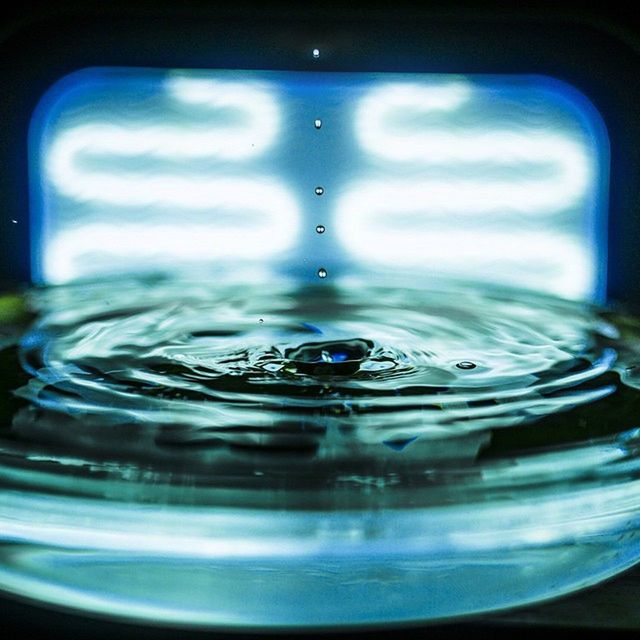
[{"x": 249, "y": 217}]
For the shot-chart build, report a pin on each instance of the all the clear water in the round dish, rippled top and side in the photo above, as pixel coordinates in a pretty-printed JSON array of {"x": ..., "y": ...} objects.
[{"x": 332, "y": 398}]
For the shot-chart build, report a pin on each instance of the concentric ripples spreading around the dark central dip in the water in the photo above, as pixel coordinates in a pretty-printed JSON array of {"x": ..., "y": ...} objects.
[{"x": 337, "y": 372}]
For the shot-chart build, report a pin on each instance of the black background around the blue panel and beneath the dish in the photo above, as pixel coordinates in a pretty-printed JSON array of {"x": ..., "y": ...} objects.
[{"x": 597, "y": 49}]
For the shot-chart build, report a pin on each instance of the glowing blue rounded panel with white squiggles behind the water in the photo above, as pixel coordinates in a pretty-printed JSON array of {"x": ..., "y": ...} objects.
[{"x": 495, "y": 178}]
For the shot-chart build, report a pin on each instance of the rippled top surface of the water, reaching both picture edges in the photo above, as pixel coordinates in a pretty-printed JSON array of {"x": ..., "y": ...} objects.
[{"x": 315, "y": 386}]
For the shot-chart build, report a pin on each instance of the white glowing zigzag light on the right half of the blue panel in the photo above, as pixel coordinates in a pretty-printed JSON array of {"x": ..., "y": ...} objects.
[{"x": 414, "y": 222}]
